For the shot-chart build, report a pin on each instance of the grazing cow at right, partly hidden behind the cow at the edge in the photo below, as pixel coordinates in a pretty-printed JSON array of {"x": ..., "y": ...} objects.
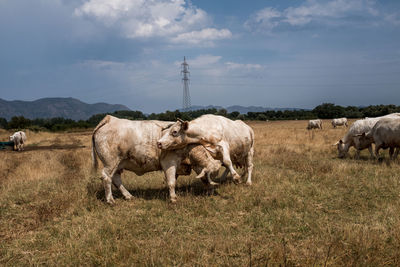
[{"x": 351, "y": 137}]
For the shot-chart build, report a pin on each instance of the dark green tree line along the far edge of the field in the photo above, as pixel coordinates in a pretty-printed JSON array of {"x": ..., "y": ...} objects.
[{"x": 323, "y": 111}]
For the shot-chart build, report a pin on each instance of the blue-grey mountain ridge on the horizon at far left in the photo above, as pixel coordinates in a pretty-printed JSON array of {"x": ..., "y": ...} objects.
[{"x": 70, "y": 108}]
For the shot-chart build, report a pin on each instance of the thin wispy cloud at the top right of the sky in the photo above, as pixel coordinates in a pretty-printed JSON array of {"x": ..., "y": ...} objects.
[{"x": 333, "y": 12}]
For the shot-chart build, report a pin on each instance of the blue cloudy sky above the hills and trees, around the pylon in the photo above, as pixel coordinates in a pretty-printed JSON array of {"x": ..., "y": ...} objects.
[{"x": 270, "y": 53}]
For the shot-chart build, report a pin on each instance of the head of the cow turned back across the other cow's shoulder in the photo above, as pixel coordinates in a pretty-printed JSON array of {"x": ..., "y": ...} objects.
[{"x": 174, "y": 136}]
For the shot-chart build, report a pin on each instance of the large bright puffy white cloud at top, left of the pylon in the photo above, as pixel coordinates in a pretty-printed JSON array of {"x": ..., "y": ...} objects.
[{"x": 174, "y": 20}]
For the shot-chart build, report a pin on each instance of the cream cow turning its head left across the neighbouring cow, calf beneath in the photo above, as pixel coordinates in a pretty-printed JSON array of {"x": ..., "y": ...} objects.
[{"x": 231, "y": 141}]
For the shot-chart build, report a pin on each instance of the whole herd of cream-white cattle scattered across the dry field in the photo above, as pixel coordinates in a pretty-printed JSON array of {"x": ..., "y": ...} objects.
[{"x": 205, "y": 145}]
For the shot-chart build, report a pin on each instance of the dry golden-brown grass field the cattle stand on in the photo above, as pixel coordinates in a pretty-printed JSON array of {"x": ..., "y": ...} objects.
[{"x": 306, "y": 207}]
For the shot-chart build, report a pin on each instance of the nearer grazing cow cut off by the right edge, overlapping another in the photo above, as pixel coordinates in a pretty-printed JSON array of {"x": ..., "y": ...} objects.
[{"x": 385, "y": 134}]
